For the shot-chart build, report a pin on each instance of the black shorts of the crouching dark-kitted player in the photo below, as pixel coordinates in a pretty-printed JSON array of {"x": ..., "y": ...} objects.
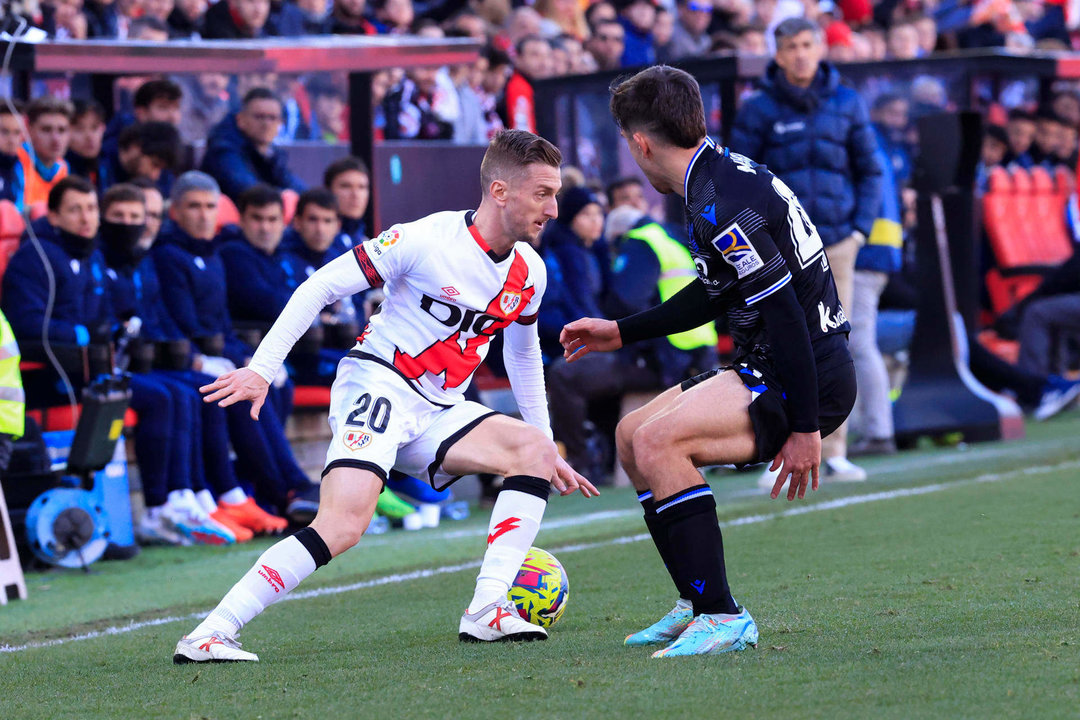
[{"x": 768, "y": 406}]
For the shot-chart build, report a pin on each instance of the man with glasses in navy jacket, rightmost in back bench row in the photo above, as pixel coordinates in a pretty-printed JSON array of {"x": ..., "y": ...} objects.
[{"x": 240, "y": 151}]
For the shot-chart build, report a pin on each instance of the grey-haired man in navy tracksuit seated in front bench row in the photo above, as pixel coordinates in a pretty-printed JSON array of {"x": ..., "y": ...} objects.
[{"x": 195, "y": 293}]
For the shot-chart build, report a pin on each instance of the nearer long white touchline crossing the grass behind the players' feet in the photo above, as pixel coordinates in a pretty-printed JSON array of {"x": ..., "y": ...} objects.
[{"x": 430, "y": 573}]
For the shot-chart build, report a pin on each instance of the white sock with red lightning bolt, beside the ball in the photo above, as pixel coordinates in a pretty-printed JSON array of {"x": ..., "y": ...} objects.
[{"x": 516, "y": 521}]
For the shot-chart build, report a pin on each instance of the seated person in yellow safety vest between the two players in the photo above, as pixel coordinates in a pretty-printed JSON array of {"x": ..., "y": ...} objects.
[{"x": 650, "y": 268}]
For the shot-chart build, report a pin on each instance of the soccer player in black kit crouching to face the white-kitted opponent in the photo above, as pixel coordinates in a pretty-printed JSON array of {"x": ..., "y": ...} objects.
[{"x": 761, "y": 263}]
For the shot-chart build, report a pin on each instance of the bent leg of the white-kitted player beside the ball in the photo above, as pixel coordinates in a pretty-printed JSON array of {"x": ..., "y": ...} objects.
[{"x": 526, "y": 458}]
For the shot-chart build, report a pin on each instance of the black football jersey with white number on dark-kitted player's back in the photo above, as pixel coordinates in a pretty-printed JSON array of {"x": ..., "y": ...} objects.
[{"x": 750, "y": 237}]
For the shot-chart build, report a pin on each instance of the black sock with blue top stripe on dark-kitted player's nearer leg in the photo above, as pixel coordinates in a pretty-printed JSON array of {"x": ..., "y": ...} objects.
[{"x": 697, "y": 549}]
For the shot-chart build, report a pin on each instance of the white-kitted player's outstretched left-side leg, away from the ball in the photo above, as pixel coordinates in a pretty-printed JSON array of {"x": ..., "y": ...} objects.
[{"x": 348, "y": 502}]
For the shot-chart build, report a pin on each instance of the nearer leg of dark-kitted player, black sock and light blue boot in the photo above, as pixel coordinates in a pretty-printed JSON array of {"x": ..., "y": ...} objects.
[{"x": 710, "y": 424}]
